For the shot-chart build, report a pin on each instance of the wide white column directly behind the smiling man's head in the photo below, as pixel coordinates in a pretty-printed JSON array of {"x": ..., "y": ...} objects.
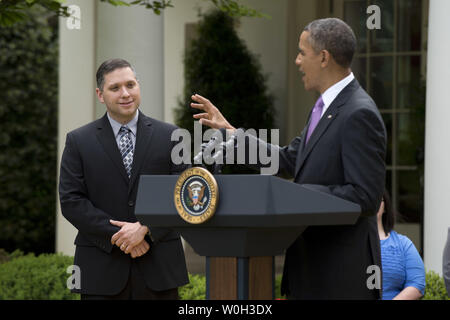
[{"x": 135, "y": 34}]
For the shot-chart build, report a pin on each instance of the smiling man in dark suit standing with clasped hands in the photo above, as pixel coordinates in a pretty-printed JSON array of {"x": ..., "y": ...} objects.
[{"x": 118, "y": 257}]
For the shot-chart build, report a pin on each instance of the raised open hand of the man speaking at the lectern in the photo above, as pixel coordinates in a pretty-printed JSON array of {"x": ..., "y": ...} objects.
[{"x": 211, "y": 116}]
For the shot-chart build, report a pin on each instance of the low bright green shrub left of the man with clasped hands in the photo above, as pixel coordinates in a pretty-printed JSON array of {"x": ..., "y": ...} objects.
[{"x": 27, "y": 277}]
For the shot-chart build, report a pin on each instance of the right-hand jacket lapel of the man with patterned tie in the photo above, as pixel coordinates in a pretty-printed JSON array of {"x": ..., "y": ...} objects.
[{"x": 143, "y": 137}]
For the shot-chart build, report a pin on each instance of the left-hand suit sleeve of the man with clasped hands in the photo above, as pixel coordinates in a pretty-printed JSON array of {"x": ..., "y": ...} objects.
[{"x": 76, "y": 207}]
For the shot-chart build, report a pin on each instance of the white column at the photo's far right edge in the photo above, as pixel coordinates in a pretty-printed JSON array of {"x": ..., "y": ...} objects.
[{"x": 437, "y": 152}]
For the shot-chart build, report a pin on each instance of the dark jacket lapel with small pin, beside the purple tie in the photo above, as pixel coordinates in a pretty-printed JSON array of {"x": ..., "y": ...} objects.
[{"x": 328, "y": 117}]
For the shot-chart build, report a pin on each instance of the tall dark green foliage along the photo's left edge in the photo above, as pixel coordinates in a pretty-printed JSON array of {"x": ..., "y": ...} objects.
[{"x": 28, "y": 117}]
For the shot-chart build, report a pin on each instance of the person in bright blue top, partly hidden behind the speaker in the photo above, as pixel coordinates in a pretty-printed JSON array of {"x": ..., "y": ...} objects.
[{"x": 402, "y": 267}]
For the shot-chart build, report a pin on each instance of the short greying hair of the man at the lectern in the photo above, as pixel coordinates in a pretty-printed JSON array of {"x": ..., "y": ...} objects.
[{"x": 335, "y": 36}]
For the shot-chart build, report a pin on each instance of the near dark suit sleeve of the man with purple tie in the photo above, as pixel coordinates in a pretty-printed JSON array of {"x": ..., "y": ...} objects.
[{"x": 363, "y": 140}]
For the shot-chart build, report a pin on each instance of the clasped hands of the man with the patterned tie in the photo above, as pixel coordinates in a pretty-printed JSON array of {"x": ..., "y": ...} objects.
[{"x": 129, "y": 235}]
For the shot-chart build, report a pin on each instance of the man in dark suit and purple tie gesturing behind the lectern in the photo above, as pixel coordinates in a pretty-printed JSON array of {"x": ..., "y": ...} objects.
[{"x": 341, "y": 151}]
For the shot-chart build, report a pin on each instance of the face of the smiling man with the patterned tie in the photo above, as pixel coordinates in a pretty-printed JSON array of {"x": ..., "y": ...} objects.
[{"x": 121, "y": 94}]
